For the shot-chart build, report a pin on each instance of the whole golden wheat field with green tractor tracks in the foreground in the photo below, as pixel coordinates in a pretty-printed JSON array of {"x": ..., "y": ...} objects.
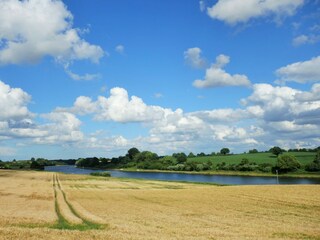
[{"x": 42, "y": 205}]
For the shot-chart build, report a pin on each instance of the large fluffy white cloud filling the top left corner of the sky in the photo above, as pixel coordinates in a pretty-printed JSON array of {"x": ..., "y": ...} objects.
[{"x": 33, "y": 29}]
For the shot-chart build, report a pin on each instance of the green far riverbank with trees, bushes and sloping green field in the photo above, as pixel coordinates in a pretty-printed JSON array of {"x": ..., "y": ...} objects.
[{"x": 252, "y": 163}]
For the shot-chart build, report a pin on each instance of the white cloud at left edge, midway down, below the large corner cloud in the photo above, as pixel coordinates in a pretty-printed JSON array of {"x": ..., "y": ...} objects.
[{"x": 17, "y": 122}]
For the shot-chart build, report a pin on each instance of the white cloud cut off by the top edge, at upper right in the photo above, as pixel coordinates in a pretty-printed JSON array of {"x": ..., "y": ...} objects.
[{"x": 239, "y": 11}]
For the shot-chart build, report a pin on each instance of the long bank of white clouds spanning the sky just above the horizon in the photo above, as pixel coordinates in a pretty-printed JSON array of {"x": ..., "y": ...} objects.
[{"x": 271, "y": 114}]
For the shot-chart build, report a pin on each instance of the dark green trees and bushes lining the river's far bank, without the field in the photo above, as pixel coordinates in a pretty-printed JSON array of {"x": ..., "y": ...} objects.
[{"x": 182, "y": 162}]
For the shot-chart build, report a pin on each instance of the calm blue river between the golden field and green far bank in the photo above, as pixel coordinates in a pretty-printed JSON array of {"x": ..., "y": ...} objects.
[{"x": 220, "y": 179}]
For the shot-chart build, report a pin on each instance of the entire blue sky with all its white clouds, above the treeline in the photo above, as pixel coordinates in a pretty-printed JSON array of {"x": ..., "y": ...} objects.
[{"x": 95, "y": 78}]
